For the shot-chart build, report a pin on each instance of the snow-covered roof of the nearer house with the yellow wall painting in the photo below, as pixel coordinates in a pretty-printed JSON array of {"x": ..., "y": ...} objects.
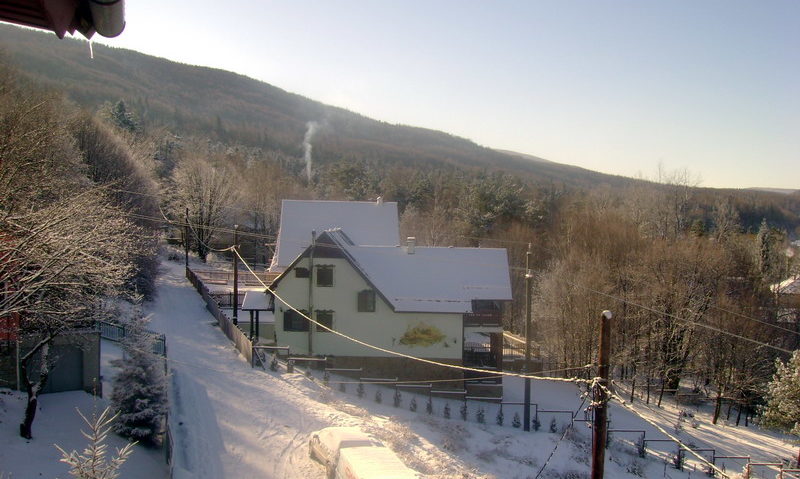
[{"x": 432, "y": 279}]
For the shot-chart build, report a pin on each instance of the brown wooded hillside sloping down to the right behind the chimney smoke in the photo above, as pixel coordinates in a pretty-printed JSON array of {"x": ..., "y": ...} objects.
[{"x": 236, "y": 109}]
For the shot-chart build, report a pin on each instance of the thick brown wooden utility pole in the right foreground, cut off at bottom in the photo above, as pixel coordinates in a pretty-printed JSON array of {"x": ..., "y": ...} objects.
[{"x": 601, "y": 397}]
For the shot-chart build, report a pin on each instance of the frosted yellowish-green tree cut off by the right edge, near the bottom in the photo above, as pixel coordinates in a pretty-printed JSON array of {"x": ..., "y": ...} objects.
[{"x": 783, "y": 396}]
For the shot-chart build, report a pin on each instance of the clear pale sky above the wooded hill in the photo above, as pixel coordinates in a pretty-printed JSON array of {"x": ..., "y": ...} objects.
[{"x": 618, "y": 86}]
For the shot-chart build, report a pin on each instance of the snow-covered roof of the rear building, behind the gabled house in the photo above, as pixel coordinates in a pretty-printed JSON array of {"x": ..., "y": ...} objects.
[{"x": 366, "y": 223}]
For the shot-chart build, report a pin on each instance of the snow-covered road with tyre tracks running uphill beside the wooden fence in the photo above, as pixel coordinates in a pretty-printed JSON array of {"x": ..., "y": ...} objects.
[{"x": 229, "y": 420}]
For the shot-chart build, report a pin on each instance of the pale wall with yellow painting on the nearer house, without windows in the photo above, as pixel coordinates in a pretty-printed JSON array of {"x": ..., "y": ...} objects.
[{"x": 382, "y": 328}]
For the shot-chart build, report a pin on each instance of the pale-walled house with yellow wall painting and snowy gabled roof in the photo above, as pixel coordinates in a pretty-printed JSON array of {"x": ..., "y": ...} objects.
[{"x": 419, "y": 301}]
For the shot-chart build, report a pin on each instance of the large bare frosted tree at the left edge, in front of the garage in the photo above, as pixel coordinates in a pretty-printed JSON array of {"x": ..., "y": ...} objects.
[{"x": 64, "y": 244}]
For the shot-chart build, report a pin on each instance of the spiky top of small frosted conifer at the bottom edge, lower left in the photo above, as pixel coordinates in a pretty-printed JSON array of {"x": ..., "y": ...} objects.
[{"x": 92, "y": 463}]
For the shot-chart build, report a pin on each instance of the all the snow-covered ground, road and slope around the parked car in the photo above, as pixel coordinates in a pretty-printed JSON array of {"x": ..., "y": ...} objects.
[{"x": 229, "y": 420}]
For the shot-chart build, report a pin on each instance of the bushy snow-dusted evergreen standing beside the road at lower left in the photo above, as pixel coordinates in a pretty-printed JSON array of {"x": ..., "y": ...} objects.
[{"x": 139, "y": 394}]
